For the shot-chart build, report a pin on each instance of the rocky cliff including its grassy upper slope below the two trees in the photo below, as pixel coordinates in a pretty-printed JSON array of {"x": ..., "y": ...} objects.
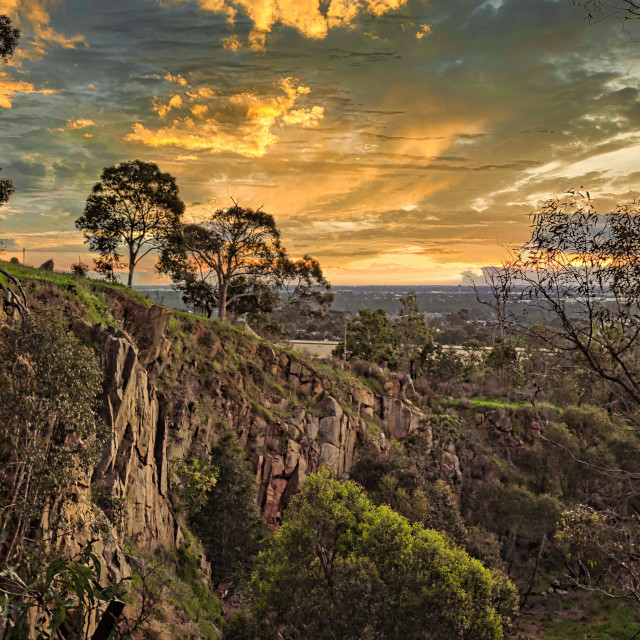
[{"x": 171, "y": 379}]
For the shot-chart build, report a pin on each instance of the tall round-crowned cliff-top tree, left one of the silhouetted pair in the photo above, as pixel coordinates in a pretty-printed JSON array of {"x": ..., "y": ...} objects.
[{"x": 134, "y": 205}]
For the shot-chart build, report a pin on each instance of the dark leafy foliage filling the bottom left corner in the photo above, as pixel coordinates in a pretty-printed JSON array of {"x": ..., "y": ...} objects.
[{"x": 60, "y": 599}]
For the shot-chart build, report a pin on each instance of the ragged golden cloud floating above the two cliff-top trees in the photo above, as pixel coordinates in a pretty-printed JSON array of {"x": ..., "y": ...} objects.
[{"x": 243, "y": 123}]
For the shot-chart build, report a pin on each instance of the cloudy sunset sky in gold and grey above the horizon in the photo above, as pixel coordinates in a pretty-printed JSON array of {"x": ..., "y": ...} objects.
[{"x": 396, "y": 141}]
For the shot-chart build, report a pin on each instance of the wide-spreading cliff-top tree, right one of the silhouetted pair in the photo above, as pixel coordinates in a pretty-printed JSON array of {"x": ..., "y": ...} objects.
[{"x": 234, "y": 262}]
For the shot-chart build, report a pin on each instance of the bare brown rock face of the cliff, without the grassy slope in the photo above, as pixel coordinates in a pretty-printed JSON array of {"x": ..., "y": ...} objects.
[{"x": 150, "y": 427}]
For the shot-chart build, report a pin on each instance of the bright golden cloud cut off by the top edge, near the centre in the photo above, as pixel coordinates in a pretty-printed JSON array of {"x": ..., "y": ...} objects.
[{"x": 304, "y": 15}]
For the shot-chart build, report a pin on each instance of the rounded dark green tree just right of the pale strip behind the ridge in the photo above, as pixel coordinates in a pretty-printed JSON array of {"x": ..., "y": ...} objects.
[{"x": 370, "y": 337}]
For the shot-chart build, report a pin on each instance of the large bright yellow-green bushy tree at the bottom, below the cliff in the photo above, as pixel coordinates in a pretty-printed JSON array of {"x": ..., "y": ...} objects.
[{"x": 341, "y": 567}]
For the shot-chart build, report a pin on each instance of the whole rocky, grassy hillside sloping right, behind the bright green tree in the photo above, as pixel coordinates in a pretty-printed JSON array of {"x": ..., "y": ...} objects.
[{"x": 177, "y": 387}]
